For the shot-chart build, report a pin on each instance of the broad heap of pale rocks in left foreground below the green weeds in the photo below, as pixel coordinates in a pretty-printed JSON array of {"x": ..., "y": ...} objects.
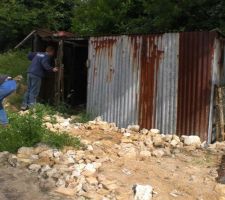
[{"x": 69, "y": 172}]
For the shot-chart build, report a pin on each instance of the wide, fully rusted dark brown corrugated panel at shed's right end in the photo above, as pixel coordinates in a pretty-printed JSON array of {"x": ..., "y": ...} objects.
[{"x": 194, "y": 84}]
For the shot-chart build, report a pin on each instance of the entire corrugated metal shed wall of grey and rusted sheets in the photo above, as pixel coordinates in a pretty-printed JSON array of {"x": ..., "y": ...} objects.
[{"x": 162, "y": 81}]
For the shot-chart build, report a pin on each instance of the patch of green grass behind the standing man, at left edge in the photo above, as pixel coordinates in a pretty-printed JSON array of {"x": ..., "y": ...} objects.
[{"x": 14, "y": 63}]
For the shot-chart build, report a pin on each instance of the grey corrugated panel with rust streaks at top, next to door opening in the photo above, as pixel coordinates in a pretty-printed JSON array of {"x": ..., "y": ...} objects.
[{"x": 113, "y": 79}]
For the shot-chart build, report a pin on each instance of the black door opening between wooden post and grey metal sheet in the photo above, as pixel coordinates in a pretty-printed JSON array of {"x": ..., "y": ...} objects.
[{"x": 75, "y": 72}]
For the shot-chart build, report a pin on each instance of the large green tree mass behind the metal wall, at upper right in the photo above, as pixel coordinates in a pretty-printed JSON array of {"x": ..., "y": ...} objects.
[{"x": 145, "y": 16}]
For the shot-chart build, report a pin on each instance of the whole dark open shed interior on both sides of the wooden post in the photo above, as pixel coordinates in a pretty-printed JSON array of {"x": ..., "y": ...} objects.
[{"x": 73, "y": 87}]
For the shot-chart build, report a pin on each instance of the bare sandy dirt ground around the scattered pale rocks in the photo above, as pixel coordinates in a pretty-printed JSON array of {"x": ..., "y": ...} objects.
[{"x": 184, "y": 176}]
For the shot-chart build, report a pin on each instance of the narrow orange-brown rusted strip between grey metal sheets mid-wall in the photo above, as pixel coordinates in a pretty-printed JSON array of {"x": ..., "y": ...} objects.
[{"x": 150, "y": 59}]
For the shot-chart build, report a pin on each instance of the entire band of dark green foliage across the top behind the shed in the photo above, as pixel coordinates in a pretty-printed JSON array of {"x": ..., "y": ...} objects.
[{"x": 90, "y": 17}]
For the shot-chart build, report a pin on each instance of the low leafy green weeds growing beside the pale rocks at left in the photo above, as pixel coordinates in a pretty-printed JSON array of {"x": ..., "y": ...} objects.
[{"x": 28, "y": 130}]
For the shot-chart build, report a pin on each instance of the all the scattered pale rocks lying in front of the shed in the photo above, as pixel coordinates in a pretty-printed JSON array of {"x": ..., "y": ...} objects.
[{"x": 76, "y": 173}]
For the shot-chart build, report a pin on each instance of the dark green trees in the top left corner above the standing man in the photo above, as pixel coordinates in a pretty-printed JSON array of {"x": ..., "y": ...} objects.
[{"x": 19, "y": 17}]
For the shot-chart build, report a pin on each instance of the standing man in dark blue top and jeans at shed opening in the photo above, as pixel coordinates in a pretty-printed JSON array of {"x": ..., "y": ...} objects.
[{"x": 41, "y": 63}]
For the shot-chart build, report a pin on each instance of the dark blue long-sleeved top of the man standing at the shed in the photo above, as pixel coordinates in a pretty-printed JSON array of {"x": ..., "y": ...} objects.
[{"x": 40, "y": 63}]
